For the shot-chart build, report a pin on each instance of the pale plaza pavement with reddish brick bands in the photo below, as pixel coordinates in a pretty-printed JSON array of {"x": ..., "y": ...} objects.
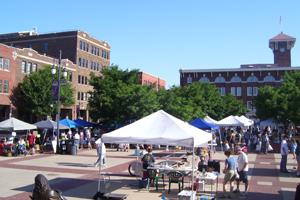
[{"x": 77, "y": 178}]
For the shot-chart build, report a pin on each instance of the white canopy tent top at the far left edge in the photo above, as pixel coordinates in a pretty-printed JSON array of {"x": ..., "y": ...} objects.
[{"x": 13, "y": 124}]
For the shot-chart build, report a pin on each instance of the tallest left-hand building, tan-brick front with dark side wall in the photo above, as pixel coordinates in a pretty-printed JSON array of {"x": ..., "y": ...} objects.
[{"x": 86, "y": 52}]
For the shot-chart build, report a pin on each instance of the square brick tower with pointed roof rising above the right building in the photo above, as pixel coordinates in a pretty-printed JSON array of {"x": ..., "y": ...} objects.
[{"x": 281, "y": 45}]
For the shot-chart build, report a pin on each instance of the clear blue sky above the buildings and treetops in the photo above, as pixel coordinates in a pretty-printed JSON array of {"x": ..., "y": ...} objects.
[{"x": 162, "y": 36}]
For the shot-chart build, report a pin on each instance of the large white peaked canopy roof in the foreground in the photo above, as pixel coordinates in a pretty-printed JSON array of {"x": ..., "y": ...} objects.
[{"x": 159, "y": 128}]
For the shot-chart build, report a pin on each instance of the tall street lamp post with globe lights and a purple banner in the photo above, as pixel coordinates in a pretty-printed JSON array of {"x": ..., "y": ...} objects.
[{"x": 56, "y": 94}]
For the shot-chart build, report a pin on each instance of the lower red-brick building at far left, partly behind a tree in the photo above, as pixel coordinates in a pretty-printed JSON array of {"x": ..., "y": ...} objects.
[{"x": 18, "y": 63}]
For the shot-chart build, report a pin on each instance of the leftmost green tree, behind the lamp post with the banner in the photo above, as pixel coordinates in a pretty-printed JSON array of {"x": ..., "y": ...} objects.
[{"x": 33, "y": 96}]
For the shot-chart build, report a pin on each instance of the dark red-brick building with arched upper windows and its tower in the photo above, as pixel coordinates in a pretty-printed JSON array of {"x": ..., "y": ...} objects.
[{"x": 243, "y": 82}]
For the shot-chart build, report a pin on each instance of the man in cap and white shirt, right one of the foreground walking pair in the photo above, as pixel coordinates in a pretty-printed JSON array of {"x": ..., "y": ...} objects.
[{"x": 242, "y": 169}]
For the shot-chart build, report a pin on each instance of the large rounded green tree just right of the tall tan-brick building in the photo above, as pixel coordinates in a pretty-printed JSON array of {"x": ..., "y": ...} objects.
[{"x": 118, "y": 98}]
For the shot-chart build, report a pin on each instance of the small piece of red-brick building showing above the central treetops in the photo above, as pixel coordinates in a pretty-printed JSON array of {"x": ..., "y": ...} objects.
[{"x": 147, "y": 79}]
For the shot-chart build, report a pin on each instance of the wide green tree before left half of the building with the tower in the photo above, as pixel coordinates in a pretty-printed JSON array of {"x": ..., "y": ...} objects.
[{"x": 197, "y": 100}]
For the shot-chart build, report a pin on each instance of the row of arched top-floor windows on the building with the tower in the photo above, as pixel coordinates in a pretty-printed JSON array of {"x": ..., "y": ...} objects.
[{"x": 234, "y": 79}]
